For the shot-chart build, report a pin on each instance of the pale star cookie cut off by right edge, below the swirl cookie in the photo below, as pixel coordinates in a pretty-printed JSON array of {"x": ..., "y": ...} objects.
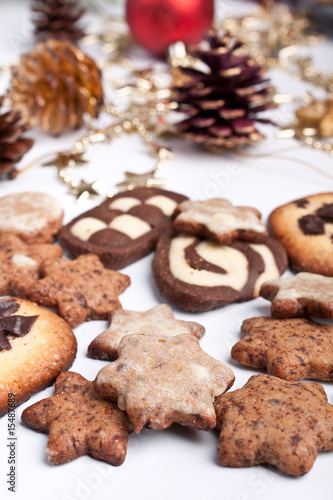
[{"x": 305, "y": 294}]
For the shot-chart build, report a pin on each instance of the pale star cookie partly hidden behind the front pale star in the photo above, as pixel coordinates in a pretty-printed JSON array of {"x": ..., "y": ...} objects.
[{"x": 158, "y": 321}]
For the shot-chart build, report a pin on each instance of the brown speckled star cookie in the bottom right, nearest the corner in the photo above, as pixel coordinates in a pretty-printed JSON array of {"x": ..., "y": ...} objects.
[{"x": 271, "y": 421}]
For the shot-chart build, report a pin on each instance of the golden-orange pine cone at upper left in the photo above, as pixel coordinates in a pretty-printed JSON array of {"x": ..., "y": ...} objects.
[{"x": 55, "y": 85}]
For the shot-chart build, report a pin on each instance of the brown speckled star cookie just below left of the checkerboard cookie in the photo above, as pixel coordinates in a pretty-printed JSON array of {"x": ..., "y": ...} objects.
[{"x": 80, "y": 290}]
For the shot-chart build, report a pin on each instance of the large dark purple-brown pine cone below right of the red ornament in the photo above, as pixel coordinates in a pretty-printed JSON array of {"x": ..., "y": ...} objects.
[{"x": 222, "y": 102}]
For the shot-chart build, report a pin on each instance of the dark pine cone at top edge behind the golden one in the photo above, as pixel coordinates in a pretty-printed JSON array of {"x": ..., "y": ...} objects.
[{"x": 57, "y": 19}]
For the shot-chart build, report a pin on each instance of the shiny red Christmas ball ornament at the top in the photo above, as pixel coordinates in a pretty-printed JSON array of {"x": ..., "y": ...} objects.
[{"x": 155, "y": 24}]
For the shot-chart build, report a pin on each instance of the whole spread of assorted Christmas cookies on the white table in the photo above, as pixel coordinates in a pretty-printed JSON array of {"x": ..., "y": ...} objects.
[{"x": 207, "y": 255}]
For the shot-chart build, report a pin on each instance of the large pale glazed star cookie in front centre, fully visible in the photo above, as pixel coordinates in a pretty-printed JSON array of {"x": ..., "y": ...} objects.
[{"x": 161, "y": 380}]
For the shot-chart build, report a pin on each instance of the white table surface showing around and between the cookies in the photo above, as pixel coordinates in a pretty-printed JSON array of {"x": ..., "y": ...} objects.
[{"x": 177, "y": 463}]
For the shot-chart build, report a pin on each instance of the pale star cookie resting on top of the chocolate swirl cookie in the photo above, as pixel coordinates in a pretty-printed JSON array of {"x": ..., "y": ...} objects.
[{"x": 220, "y": 221}]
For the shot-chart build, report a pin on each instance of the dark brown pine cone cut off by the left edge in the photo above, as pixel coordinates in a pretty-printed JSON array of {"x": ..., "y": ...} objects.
[{"x": 12, "y": 145}]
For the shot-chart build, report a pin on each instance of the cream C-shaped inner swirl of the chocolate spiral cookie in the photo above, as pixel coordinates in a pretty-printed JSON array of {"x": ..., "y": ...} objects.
[{"x": 231, "y": 260}]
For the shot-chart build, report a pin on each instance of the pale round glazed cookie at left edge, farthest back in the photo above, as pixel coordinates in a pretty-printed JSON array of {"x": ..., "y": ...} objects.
[{"x": 34, "y": 217}]
